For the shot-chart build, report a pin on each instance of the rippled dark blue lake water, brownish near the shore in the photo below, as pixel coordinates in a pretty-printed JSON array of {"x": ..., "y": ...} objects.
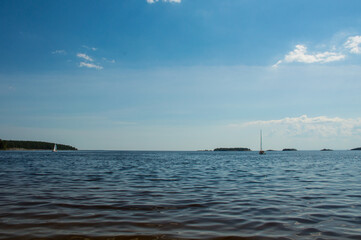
[{"x": 180, "y": 195}]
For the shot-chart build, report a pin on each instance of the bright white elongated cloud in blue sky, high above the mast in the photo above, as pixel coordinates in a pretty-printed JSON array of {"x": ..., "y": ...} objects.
[{"x": 299, "y": 54}]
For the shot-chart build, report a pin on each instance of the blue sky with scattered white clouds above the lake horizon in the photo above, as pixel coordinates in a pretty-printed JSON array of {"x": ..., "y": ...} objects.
[{"x": 181, "y": 74}]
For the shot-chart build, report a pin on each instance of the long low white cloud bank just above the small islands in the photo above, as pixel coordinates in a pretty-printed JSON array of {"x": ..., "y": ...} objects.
[{"x": 321, "y": 126}]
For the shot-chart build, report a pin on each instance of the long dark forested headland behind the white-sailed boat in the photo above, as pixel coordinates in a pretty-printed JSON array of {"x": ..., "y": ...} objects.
[{"x": 31, "y": 145}]
